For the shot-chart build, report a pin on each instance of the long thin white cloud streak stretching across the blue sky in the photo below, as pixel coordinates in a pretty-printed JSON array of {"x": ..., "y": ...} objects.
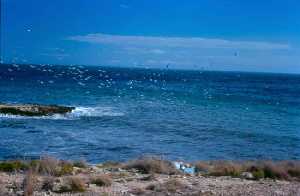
[{"x": 176, "y": 42}]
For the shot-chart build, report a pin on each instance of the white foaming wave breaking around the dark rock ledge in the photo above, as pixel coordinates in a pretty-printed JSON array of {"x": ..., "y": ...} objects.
[{"x": 77, "y": 113}]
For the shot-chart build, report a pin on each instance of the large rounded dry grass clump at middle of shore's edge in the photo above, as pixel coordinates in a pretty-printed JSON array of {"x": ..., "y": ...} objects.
[{"x": 149, "y": 165}]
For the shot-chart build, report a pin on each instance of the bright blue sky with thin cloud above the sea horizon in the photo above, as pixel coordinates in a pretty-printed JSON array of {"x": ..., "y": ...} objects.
[{"x": 229, "y": 35}]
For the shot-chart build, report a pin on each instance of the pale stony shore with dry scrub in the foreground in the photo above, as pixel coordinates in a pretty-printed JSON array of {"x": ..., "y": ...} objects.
[{"x": 145, "y": 176}]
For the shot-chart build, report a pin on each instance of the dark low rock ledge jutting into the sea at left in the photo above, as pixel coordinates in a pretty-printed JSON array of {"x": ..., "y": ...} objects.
[{"x": 34, "y": 109}]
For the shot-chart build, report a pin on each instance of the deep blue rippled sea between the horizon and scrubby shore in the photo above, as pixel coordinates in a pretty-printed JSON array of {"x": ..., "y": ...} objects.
[{"x": 123, "y": 113}]
